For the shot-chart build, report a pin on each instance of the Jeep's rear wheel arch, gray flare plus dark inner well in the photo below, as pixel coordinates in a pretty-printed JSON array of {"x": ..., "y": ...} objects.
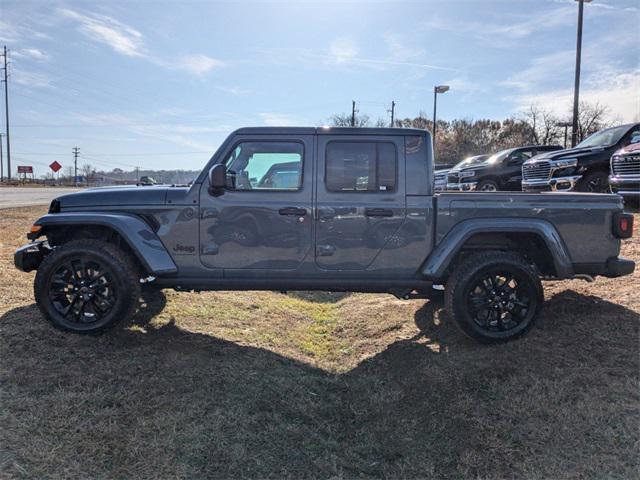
[{"x": 537, "y": 240}]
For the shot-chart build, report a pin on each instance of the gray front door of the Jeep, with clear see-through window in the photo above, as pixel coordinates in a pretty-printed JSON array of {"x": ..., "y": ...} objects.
[{"x": 264, "y": 223}]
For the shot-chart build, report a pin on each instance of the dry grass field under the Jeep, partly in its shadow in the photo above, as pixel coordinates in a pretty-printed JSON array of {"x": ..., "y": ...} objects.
[{"x": 264, "y": 385}]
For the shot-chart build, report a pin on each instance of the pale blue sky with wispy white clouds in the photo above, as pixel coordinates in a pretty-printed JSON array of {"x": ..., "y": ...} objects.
[{"x": 161, "y": 84}]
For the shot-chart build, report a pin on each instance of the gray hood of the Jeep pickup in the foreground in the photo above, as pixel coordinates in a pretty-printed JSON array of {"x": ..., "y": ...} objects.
[{"x": 115, "y": 196}]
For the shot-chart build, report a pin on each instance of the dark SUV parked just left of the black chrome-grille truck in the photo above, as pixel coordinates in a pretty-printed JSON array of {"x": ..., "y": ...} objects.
[{"x": 501, "y": 171}]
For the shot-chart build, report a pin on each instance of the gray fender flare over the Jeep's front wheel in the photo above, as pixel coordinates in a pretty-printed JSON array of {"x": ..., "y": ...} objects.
[{"x": 136, "y": 232}]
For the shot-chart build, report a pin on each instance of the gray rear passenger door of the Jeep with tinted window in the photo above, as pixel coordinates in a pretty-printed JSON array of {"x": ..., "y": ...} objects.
[{"x": 360, "y": 199}]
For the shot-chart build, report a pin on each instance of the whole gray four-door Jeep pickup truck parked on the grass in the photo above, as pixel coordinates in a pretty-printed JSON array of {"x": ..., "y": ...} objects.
[{"x": 337, "y": 209}]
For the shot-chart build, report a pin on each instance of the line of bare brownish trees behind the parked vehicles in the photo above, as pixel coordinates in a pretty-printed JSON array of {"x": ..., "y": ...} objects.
[{"x": 460, "y": 138}]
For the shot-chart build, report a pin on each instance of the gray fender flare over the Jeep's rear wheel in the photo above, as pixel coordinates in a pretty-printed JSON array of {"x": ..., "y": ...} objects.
[{"x": 445, "y": 252}]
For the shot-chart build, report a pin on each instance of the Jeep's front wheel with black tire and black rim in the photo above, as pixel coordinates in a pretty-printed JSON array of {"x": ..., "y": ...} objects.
[{"x": 87, "y": 286}]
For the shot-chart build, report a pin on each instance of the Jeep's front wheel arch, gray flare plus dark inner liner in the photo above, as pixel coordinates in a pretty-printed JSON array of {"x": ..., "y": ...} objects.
[{"x": 129, "y": 231}]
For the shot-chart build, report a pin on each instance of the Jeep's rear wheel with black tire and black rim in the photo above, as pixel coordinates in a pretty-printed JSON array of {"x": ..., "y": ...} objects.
[{"x": 486, "y": 309}]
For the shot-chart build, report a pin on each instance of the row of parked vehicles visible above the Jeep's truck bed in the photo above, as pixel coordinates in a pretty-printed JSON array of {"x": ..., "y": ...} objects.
[{"x": 608, "y": 160}]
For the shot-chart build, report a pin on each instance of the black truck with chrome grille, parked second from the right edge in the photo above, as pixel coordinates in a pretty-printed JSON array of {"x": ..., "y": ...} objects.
[{"x": 584, "y": 168}]
